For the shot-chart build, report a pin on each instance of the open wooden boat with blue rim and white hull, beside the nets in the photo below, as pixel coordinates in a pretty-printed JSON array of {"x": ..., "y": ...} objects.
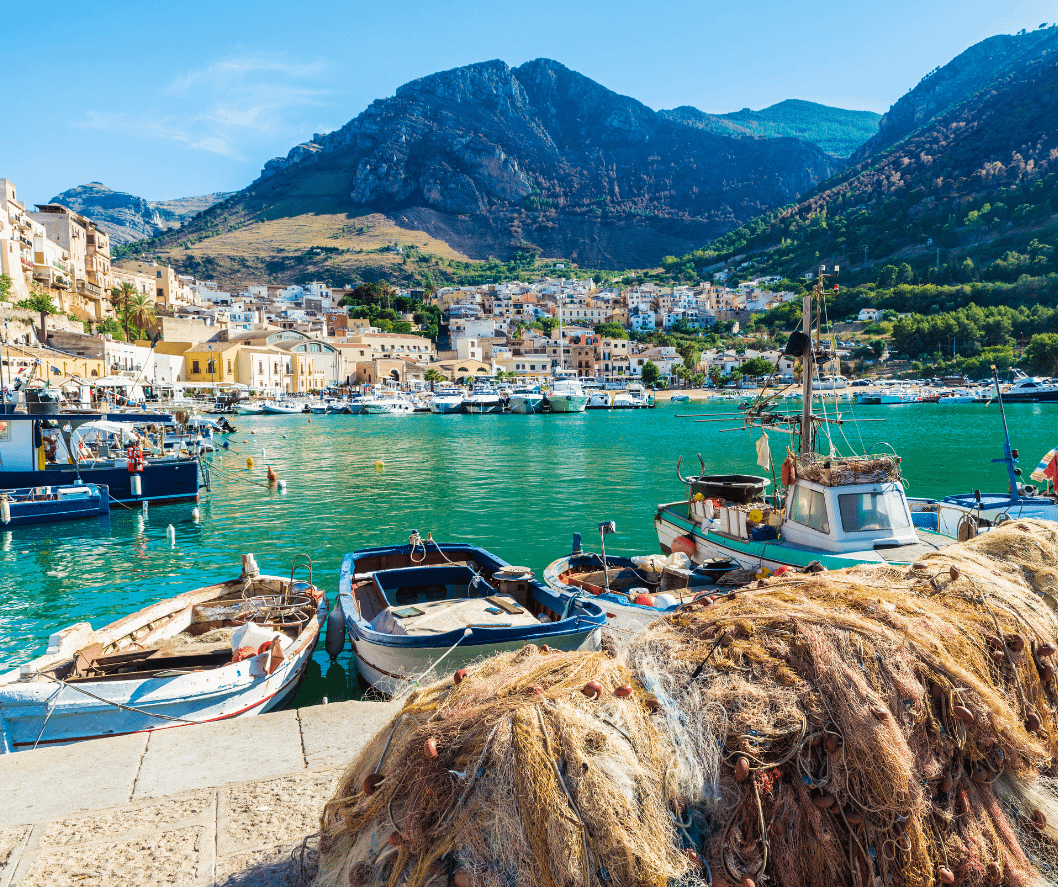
[{"x": 409, "y": 609}]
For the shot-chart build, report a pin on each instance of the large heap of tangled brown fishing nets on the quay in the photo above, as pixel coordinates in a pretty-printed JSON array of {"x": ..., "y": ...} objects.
[{"x": 871, "y": 727}]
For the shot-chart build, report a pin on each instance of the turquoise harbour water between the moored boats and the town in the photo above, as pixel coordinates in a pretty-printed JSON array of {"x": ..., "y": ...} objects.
[{"x": 520, "y": 486}]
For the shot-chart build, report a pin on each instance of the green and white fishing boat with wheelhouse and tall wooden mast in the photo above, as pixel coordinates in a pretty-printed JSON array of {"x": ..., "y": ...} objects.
[{"x": 834, "y": 512}]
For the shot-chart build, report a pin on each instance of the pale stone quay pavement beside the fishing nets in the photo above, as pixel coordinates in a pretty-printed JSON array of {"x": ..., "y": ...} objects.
[{"x": 226, "y": 804}]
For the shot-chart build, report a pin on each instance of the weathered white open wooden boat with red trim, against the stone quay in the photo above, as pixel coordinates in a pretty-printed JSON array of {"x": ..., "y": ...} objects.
[{"x": 232, "y": 649}]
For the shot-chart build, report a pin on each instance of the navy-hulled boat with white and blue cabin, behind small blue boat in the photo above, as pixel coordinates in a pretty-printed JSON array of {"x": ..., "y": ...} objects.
[{"x": 69, "y": 449}]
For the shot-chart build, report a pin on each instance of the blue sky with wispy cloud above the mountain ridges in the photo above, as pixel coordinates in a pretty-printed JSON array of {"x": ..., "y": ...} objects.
[{"x": 172, "y": 100}]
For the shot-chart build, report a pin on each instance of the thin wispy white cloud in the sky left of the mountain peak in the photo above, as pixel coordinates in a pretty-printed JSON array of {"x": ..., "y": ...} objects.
[{"x": 232, "y": 107}]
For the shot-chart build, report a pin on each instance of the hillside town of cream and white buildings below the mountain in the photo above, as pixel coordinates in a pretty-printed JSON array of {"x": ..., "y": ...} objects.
[{"x": 277, "y": 339}]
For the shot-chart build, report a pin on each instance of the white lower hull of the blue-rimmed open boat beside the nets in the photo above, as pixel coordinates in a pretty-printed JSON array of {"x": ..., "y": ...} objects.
[{"x": 387, "y": 668}]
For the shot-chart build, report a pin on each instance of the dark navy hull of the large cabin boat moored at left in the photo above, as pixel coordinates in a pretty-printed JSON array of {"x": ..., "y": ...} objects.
[{"x": 165, "y": 481}]
